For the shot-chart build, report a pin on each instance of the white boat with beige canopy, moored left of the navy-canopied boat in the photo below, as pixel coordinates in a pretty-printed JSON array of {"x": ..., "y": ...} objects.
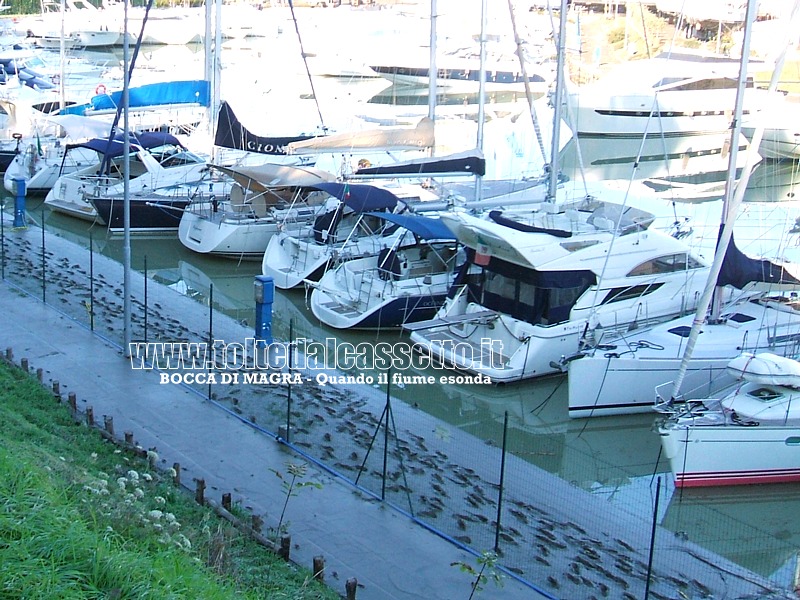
[{"x": 263, "y": 200}]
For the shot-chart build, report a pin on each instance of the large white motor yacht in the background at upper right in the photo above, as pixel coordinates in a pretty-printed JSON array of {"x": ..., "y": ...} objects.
[{"x": 671, "y": 94}]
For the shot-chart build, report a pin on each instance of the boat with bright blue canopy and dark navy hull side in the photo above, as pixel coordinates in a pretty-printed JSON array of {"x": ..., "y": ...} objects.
[{"x": 401, "y": 284}]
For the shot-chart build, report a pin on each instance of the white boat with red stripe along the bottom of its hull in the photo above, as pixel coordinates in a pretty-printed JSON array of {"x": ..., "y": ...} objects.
[{"x": 749, "y": 435}]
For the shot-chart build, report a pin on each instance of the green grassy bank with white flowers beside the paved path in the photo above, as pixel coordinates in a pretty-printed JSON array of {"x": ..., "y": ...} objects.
[{"x": 80, "y": 518}]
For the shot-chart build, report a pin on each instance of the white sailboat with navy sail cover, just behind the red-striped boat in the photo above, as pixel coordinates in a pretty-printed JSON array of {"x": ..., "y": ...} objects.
[{"x": 619, "y": 377}]
